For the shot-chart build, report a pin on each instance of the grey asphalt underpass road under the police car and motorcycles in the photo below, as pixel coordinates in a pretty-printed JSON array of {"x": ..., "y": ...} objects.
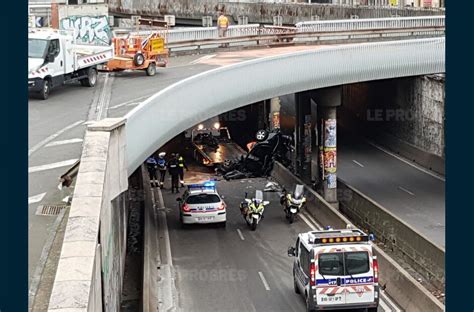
[{"x": 233, "y": 268}]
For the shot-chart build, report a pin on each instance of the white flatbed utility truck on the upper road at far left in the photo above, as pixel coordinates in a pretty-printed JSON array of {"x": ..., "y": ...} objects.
[{"x": 54, "y": 58}]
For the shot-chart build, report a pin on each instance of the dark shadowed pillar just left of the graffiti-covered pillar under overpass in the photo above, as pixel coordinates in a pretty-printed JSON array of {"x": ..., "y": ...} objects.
[{"x": 303, "y": 136}]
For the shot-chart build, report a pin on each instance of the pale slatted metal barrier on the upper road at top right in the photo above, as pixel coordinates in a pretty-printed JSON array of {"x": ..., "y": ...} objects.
[{"x": 371, "y": 23}]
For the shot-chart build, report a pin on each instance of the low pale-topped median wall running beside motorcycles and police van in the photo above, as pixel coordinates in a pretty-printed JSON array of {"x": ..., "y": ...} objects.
[{"x": 402, "y": 287}]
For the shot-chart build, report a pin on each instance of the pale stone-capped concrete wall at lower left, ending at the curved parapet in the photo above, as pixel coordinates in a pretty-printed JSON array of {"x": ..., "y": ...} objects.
[{"x": 90, "y": 270}]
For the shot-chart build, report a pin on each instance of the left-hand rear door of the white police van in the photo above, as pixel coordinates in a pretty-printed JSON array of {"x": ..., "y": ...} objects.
[{"x": 330, "y": 278}]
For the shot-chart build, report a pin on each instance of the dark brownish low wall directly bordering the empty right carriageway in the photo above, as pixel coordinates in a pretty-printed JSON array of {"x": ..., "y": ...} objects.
[{"x": 418, "y": 251}]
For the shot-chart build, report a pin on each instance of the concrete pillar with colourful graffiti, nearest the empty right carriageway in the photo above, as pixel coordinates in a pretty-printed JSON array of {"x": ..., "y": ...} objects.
[{"x": 328, "y": 100}]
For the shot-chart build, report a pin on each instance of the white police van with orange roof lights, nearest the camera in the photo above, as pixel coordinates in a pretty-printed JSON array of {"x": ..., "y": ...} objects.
[{"x": 336, "y": 269}]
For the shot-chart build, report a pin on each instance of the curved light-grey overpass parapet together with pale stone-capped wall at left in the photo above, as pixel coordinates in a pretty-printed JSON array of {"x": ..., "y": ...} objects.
[{"x": 91, "y": 266}]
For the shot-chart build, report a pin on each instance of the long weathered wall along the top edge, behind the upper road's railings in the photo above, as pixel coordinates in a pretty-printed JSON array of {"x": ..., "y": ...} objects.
[{"x": 257, "y": 12}]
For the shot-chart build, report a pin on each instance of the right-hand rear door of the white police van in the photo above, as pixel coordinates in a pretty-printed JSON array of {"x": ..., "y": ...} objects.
[{"x": 359, "y": 279}]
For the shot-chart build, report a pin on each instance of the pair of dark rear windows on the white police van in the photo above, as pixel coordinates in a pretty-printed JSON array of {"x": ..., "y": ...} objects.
[{"x": 347, "y": 263}]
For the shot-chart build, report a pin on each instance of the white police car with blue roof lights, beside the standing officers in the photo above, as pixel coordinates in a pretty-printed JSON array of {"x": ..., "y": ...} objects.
[{"x": 201, "y": 203}]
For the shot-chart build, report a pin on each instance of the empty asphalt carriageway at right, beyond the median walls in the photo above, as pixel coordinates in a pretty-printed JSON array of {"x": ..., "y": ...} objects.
[{"x": 413, "y": 195}]
